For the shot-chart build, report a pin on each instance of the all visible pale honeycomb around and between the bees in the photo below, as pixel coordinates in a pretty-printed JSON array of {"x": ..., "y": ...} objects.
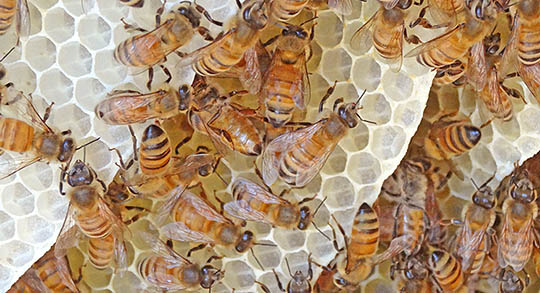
[{"x": 68, "y": 60}]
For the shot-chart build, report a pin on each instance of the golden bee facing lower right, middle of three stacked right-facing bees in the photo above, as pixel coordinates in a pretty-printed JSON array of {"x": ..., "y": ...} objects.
[{"x": 195, "y": 220}]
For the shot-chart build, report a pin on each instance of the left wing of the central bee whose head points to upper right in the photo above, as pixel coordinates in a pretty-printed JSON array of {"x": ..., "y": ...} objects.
[{"x": 282, "y": 144}]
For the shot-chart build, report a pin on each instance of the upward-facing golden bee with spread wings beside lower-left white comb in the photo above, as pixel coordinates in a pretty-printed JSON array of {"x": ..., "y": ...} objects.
[{"x": 93, "y": 218}]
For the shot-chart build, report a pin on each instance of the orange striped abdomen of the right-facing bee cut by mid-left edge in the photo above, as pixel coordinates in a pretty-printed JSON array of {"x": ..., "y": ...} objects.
[{"x": 15, "y": 135}]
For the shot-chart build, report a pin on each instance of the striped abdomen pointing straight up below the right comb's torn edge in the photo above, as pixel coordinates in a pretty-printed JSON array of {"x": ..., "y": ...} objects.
[{"x": 365, "y": 234}]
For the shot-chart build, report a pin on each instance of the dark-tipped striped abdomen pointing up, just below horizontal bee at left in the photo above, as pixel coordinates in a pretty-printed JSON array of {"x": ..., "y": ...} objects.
[{"x": 155, "y": 151}]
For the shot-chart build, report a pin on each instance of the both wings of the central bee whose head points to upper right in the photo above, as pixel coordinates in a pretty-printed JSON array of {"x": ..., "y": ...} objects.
[{"x": 281, "y": 145}]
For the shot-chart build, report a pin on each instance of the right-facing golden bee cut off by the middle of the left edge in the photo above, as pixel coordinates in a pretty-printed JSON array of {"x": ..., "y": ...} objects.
[{"x": 32, "y": 137}]
